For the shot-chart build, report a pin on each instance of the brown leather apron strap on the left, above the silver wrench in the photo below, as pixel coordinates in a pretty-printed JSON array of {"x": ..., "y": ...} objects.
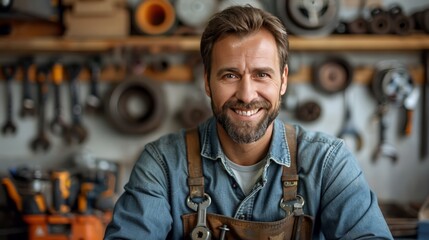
[{"x": 195, "y": 169}]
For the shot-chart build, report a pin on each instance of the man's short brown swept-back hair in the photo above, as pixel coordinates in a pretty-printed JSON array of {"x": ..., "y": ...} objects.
[{"x": 242, "y": 20}]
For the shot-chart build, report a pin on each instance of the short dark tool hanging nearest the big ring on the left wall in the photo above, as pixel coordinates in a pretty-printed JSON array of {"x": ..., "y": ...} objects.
[{"x": 93, "y": 102}]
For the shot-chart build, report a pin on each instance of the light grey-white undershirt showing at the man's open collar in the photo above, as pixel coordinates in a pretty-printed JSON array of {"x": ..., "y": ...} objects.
[{"x": 247, "y": 176}]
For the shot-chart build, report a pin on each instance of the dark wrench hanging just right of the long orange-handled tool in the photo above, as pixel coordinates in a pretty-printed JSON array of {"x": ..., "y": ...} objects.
[{"x": 76, "y": 131}]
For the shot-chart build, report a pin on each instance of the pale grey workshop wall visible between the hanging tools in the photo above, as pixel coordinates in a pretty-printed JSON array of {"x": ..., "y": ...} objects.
[{"x": 403, "y": 180}]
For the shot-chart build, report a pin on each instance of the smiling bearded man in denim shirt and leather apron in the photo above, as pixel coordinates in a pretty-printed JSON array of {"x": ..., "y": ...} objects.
[{"x": 247, "y": 156}]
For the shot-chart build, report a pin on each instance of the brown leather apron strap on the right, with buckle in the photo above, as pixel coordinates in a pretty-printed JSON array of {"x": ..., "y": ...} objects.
[{"x": 290, "y": 174}]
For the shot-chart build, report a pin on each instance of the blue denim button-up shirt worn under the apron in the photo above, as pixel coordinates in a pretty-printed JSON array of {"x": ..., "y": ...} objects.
[{"x": 335, "y": 191}]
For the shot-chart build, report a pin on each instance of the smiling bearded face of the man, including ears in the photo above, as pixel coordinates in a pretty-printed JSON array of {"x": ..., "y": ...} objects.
[{"x": 246, "y": 84}]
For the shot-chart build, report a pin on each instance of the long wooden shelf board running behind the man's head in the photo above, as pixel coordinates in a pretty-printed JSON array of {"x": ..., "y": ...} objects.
[{"x": 335, "y": 42}]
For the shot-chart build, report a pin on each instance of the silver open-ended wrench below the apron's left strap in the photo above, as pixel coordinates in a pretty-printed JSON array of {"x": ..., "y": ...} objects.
[{"x": 201, "y": 231}]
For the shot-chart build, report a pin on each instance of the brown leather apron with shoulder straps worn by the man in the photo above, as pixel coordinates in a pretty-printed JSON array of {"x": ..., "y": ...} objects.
[{"x": 296, "y": 225}]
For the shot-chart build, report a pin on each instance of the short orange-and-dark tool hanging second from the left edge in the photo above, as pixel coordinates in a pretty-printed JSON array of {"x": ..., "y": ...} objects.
[{"x": 27, "y": 105}]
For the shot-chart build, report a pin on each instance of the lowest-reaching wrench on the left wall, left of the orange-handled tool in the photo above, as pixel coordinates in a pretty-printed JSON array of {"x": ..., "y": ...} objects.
[{"x": 41, "y": 141}]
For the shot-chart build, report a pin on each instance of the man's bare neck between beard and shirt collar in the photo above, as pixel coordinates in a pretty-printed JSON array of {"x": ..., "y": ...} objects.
[{"x": 245, "y": 154}]
